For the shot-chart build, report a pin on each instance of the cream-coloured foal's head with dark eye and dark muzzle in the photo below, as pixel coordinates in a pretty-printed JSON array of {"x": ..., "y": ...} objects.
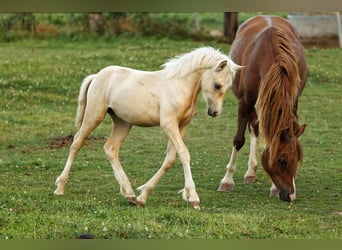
[{"x": 215, "y": 82}]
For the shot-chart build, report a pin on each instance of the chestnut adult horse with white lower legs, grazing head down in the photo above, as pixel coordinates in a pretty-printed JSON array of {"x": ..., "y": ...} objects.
[{"x": 268, "y": 88}]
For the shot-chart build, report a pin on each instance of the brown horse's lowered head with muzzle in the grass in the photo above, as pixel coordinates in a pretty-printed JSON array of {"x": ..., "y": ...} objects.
[{"x": 283, "y": 168}]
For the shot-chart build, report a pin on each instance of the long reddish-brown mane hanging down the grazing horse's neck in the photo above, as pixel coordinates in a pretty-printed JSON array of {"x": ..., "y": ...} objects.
[{"x": 278, "y": 93}]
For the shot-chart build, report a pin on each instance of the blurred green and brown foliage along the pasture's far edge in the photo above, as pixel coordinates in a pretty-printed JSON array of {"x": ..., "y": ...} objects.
[{"x": 111, "y": 24}]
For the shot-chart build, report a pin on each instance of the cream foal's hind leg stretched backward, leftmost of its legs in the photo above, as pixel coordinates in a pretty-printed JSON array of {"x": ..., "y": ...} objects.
[{"x": 90, "y": 122}]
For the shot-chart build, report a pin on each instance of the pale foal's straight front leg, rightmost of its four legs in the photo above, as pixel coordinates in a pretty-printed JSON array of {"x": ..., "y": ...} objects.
[{"x": 189, "y": 191}]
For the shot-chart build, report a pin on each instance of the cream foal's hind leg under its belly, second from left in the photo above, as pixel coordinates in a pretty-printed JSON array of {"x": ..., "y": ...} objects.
[{"x": 111, "y": 148}]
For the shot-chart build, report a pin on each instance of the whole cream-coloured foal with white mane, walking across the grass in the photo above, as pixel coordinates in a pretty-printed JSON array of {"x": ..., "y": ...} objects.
[{"x": 165, "y": 98}]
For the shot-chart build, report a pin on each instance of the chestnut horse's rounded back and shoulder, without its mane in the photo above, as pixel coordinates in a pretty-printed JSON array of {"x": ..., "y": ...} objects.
[{"x": 252, "y": 48}]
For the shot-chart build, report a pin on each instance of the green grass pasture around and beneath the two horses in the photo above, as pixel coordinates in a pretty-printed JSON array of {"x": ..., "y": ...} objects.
[{"x": 39, "y": 85}]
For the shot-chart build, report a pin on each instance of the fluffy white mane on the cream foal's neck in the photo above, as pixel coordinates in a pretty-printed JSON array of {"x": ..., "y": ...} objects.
[{"x": 201, "y": 58}]
